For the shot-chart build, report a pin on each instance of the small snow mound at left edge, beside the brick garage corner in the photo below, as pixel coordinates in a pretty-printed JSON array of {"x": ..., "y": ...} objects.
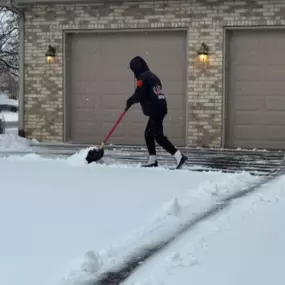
[{"x": 12, "y": 142}]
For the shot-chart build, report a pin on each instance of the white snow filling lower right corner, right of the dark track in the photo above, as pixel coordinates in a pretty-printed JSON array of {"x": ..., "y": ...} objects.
[{"x": 244, "y": 244}]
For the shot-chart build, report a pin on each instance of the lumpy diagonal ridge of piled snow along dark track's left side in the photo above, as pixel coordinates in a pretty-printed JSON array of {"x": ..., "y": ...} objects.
[{"x": 174, "y": 216}]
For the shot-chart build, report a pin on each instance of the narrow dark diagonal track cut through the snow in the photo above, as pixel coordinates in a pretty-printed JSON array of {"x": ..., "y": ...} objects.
[{"x": 118, "y": 276}]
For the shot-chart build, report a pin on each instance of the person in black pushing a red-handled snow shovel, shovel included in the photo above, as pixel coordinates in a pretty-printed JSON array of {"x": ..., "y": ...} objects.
[{"x": 154, "y": 105}]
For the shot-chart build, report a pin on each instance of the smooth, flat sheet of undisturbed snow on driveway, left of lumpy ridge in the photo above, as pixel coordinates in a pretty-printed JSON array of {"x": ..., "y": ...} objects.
[{"x": 55, "y": 211}]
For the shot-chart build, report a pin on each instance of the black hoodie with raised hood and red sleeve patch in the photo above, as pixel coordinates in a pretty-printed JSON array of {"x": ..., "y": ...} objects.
[{"x": 148, "y": 91}]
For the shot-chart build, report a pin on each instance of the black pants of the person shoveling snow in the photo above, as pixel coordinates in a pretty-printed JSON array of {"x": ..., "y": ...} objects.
[{"x": 154, "y": 132}]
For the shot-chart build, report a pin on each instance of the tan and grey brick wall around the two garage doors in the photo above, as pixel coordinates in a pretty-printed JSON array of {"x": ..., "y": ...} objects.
[{"x": 203, "y": 19}]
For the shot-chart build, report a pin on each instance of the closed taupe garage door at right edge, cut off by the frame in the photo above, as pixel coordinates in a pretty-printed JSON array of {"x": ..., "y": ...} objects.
[{"x": 255, "y": 91}]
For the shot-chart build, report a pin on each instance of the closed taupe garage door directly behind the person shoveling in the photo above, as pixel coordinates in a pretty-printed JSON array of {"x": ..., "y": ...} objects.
[{"x": 100, "y": 81}]
